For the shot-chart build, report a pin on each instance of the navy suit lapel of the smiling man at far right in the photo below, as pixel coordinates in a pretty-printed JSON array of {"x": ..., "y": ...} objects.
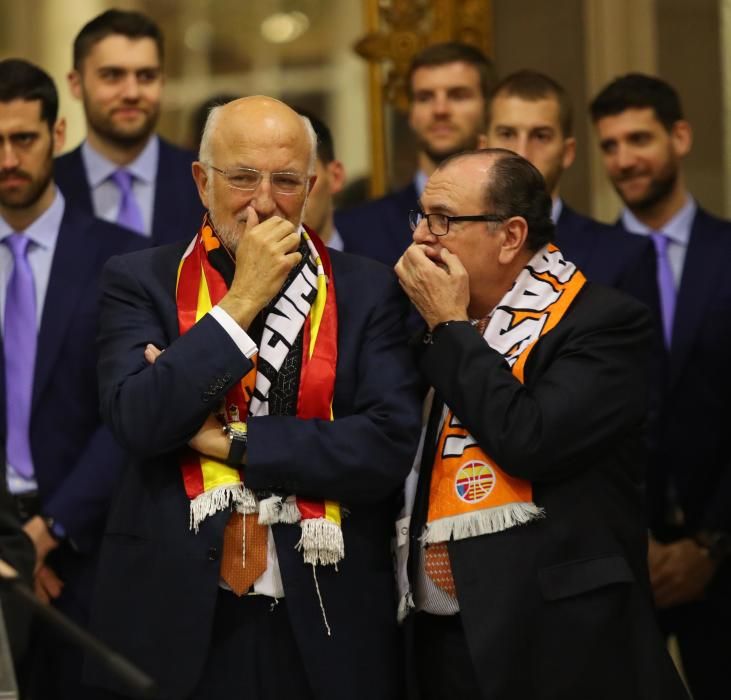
[{"x": 700, "y": 271}]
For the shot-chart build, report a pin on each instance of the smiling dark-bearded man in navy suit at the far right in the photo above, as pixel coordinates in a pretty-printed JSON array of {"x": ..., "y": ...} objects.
[{"x": 644, "y": 139}]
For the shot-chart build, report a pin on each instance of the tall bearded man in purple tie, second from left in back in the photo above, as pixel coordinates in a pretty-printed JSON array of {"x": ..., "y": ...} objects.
[{"x": 123, "y": 172}]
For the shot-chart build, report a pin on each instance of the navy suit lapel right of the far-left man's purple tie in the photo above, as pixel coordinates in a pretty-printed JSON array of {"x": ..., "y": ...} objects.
[{"x": 73, "y": 266}]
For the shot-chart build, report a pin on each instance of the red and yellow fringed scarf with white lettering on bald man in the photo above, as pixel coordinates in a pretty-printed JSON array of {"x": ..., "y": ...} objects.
[{"x": 307, "y": 305}]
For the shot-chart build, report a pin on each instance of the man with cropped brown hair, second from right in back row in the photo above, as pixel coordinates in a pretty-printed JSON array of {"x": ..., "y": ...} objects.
[{"x": 531, "y": 114}]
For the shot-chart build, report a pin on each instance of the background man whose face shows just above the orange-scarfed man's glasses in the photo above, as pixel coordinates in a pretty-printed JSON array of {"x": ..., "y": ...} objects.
[{"x": 448, "y": 87}]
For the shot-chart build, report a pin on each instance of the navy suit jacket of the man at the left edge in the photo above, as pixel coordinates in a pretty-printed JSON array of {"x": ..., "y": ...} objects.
[{"x": 76, "y": 459}]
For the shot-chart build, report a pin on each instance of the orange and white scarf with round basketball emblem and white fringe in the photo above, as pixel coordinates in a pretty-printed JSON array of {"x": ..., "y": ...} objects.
[{"x": 470, "y": 494}]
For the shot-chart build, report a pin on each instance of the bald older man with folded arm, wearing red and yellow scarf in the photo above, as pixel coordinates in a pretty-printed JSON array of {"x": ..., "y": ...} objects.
[{"x": 264, "y": 385}]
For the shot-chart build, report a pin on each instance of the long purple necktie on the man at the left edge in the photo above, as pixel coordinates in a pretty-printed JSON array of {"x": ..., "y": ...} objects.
[{"x": 19, "y": 339}]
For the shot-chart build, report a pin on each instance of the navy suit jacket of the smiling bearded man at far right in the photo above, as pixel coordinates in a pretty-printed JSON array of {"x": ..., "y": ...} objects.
[{"x": 695, "y": 440}]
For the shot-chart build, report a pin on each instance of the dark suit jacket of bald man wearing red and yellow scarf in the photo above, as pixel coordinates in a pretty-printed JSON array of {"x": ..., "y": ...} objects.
[{"x": 159, "y": 582}]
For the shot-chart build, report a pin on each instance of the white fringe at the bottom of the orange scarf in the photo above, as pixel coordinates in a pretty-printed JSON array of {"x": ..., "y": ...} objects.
[{"x": 482, "y": 522}]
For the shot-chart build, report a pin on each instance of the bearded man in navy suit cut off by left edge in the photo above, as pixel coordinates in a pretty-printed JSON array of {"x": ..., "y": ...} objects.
[{"x": 61, "y": 463}]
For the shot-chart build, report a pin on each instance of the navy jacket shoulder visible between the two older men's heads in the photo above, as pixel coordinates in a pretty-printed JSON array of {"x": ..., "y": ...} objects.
[{"x": 379, "y": 229}]
